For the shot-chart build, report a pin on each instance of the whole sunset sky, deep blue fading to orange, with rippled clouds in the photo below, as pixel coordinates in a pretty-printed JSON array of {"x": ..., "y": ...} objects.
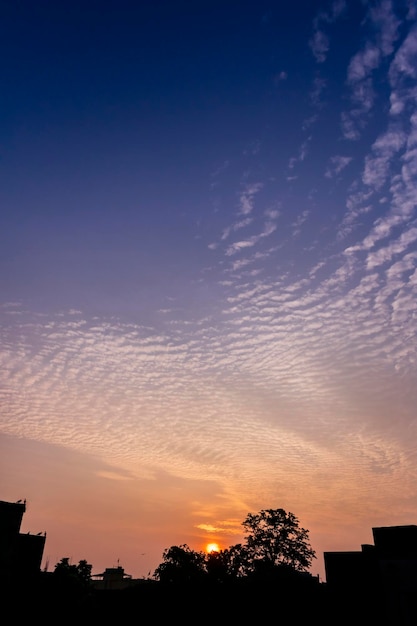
[{"x": 208, "y": 271}]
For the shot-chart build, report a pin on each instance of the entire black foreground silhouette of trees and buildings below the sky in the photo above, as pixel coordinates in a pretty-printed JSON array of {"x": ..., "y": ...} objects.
[{"x": 265, "y": 579}]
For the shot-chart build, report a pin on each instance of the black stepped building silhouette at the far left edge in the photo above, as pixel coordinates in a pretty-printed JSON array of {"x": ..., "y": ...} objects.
[{"x": 20, "y": 553}]
